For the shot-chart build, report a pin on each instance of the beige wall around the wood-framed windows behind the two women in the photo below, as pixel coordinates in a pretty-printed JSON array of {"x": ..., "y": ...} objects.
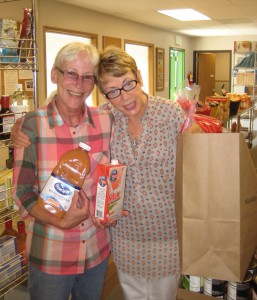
[{"x": 74, "y": 18}]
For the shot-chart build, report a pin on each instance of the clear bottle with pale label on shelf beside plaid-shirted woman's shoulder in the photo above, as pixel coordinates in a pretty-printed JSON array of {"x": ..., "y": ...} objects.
[{"x": 19, "y": 103}]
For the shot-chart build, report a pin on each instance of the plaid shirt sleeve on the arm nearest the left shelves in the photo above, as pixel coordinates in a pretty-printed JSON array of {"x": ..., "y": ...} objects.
[{"x": 25, "y": 186}]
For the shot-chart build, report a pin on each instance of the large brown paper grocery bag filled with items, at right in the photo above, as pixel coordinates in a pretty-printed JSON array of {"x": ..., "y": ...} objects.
[{"x": 216, "y": 205}]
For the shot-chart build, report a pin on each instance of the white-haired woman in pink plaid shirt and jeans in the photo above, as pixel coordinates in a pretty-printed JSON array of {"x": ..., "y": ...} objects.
[{"x": 66, "y": 255}]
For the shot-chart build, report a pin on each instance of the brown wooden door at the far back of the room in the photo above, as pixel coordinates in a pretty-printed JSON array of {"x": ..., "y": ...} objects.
[{"x": 206, "y": 74}]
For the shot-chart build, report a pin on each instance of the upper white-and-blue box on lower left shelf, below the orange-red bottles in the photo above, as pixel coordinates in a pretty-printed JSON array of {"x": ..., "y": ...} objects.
[{"x": 8, "y": 248}]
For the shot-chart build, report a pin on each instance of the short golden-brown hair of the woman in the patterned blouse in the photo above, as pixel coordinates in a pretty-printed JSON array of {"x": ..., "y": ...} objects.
[{"x": 115, "y": 62}]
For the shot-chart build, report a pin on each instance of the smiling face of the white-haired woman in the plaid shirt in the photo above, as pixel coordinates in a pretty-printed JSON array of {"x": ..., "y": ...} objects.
[{"x": 71, "y": 94}]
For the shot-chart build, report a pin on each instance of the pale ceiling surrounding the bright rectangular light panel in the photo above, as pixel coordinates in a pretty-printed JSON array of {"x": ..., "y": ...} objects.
[{"x": 229, "y": 17}]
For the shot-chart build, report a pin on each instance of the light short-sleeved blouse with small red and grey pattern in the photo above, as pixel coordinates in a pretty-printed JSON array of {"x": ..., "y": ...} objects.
[{"x": 145, "y": 244}]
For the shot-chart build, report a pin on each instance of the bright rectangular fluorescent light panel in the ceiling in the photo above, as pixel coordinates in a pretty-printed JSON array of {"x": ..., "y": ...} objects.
[{"x": 187, "y": 14}]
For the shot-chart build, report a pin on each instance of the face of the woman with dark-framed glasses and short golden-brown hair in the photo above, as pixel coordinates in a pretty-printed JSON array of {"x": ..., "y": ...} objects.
[{"x": 131, "y": 103}]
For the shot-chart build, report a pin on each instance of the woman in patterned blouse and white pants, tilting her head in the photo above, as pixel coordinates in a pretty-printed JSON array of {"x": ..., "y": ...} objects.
[{"x": 145, "y": 243}]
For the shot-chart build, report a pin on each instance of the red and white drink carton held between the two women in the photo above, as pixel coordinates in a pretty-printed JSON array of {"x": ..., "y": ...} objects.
[{"x": 110, "y": 190}]
